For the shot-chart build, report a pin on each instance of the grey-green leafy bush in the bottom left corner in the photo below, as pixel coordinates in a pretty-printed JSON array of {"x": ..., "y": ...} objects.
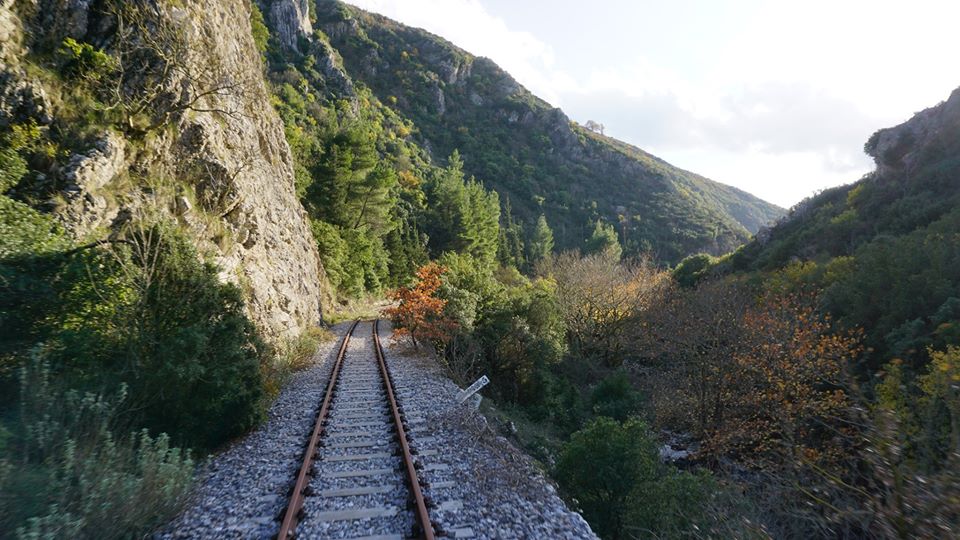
[{"x": 70, "y": 476}]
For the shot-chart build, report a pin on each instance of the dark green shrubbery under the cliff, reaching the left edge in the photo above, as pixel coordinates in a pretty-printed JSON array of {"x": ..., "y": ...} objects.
[{"x": 148, "y": 312}]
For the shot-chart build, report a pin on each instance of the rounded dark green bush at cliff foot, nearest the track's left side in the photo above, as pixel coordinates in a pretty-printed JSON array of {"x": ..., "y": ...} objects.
[{"x": 192, "y": 355}]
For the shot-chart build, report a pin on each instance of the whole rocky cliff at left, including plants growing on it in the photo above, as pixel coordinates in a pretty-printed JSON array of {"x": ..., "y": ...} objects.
[{"x": 219, "y": 164}]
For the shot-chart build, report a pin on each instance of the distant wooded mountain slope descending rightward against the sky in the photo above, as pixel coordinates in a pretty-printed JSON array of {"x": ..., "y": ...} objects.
[{"x": 530, "y": 152}]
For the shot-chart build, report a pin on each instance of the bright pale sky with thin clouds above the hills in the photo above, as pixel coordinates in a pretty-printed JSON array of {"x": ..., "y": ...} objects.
[{"x": 772, "y": 96}]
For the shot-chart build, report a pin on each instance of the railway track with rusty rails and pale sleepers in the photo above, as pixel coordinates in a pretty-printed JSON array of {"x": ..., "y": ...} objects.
[{"x": 359, "y": 478}]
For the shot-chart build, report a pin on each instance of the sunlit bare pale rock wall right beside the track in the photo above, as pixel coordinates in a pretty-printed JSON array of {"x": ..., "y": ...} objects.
[{"x": 275, "y": 256}]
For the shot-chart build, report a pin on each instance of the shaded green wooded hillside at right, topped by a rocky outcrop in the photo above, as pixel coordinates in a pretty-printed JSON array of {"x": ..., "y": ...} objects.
[{"x": 886, "y": 249}]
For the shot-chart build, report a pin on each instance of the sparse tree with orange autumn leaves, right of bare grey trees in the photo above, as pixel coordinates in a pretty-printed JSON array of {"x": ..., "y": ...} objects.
[{"x": 795, "y": 364}]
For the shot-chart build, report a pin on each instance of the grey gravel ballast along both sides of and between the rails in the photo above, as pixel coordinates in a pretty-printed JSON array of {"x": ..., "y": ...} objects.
[{"x": 480, "y": 485}]
